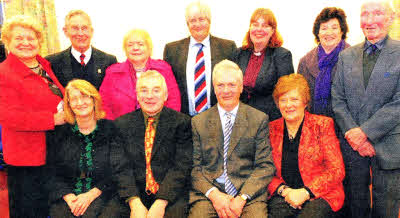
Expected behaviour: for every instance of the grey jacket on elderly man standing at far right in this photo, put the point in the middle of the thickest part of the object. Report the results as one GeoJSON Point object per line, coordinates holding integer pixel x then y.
{"type": "Point", "coordinates": [375, 108]}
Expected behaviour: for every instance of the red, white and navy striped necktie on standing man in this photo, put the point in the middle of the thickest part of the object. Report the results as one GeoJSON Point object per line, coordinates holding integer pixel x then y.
{"type": "Point", "coordinates": [200, 89]}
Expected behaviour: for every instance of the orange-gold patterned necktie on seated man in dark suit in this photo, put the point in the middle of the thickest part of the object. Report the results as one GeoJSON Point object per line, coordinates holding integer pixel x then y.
{"type": "Point", "coordinates": [151, 184]}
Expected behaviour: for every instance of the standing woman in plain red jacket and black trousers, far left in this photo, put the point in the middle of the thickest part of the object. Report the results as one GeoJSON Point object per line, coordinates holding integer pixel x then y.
{"type": "Point", "coordinates": [30, 104]}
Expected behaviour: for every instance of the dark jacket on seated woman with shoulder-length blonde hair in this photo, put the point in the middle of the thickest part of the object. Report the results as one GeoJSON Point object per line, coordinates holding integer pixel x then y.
{"type": "Point", "coordinates": [64, 149]}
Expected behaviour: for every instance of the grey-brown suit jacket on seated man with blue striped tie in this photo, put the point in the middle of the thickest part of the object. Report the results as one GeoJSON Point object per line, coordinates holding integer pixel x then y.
{"type": "Point", "coordinates": [250, 165]}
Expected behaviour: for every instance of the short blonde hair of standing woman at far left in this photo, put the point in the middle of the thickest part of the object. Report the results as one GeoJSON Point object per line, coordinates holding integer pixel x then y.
{"type": "Point", "coordinates": [22, 21]}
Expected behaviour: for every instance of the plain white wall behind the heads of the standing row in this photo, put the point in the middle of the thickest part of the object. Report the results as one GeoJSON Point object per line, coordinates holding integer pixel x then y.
{"type": "Point", "coordinates": [165, 21]}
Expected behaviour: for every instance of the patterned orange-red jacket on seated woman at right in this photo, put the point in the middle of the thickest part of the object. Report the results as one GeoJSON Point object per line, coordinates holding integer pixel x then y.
{"type": "Point", "coordinates": [320, 159]}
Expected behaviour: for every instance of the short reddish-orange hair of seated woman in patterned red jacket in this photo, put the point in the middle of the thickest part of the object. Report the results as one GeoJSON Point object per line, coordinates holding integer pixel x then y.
{"type": "Point", "coordinates": [291, 82]}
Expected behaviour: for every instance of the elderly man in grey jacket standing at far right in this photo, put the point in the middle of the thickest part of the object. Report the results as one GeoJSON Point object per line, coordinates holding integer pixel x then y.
{"type": "Point", "coordinates": [366, 103]}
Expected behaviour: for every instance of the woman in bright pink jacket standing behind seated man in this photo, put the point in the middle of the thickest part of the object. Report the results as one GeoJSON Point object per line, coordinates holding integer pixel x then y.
{"type": "Point", "coordinates": [118, 89]}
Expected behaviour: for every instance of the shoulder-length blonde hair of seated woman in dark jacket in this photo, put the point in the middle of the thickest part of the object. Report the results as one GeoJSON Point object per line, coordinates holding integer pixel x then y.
{"type": "Point", "coordinates": [86, 88]}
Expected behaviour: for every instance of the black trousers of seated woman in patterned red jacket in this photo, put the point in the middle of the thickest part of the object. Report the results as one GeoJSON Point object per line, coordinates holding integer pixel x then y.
{"type": "Point", "coordinates": [319, 208]}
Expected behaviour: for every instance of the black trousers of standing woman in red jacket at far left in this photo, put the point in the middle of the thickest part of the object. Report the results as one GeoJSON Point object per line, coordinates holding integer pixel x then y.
{"type": "Point", "coordinates": [26, 192]}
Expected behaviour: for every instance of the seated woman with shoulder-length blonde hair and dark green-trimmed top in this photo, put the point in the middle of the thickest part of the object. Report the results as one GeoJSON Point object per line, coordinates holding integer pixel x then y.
{"type": "Point", "coordinates": [84, 156]}
